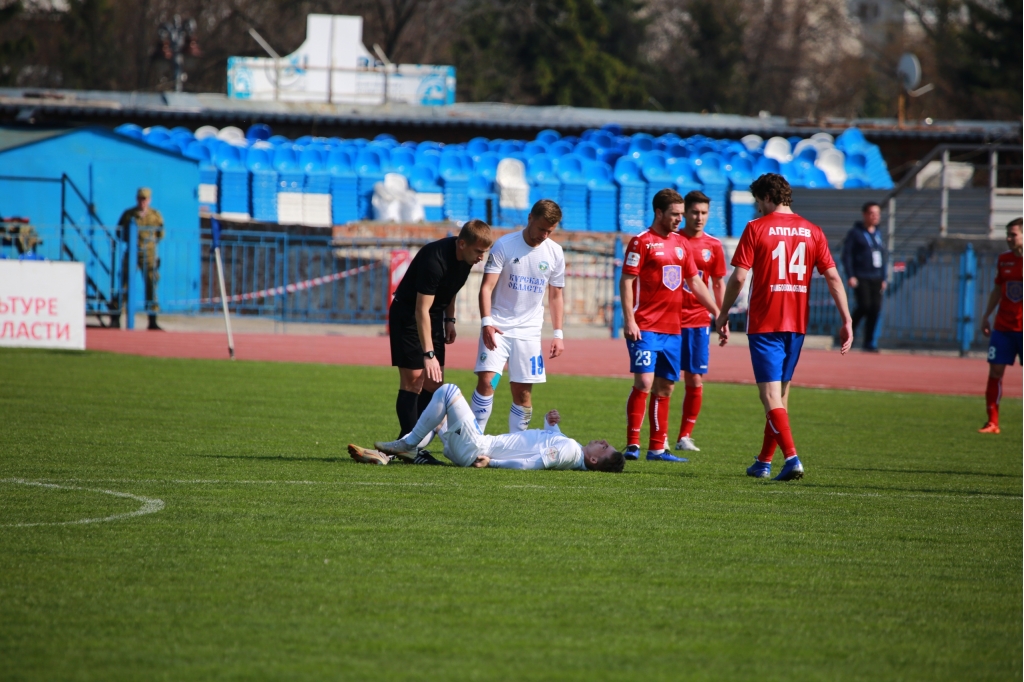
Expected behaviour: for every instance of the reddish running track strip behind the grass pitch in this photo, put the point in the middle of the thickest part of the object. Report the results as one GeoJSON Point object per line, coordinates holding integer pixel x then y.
{"type": "Point", "coordinates": [606, 358]}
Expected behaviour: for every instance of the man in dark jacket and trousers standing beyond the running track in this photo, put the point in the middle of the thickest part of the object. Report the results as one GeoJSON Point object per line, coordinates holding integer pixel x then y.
{"type": "Point", "coordinates": [865, 262]}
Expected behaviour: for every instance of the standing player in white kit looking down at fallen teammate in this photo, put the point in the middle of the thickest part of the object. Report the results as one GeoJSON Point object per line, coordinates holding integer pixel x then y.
{"type": "Point", "coordinates": [522, 267]}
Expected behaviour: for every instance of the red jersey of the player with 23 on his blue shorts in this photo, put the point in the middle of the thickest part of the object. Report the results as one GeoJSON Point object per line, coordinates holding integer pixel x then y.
{"type": "Point", "coordinates": [661, 266]}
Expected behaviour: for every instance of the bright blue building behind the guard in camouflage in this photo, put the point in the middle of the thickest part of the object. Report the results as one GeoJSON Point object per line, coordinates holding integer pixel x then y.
{"type": "Point", "coordinates": [73, 185]}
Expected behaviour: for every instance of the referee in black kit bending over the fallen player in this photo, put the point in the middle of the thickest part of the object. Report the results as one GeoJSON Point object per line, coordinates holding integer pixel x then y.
{"type": "Point", "coordinates": [422, 319]}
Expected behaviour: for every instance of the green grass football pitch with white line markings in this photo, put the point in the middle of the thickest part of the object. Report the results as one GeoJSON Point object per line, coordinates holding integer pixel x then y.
{"type": "Point", "coordinates": [275, 557]}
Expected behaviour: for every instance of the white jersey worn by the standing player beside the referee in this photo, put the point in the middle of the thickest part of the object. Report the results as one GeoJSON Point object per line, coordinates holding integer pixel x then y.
{"type": "Point", "coordinates": [526, 273]}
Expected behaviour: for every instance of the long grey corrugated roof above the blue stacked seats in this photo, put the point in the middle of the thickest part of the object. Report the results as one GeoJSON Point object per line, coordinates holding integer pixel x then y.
{"type": "Point", "coordinates": [215, 108]}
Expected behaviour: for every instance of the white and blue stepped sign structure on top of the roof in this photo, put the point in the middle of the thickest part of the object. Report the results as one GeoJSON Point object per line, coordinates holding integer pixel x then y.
{"type": "Point", "coordinates": [333, 66]}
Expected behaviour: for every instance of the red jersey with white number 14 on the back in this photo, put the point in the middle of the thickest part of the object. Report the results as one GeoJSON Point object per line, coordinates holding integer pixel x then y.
{"type": "Point", "coordinates": [782, 249]}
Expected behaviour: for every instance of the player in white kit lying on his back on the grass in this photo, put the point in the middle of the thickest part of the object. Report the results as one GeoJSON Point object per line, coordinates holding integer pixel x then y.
{"type": "Point", "coordinates": [466, 447]}
